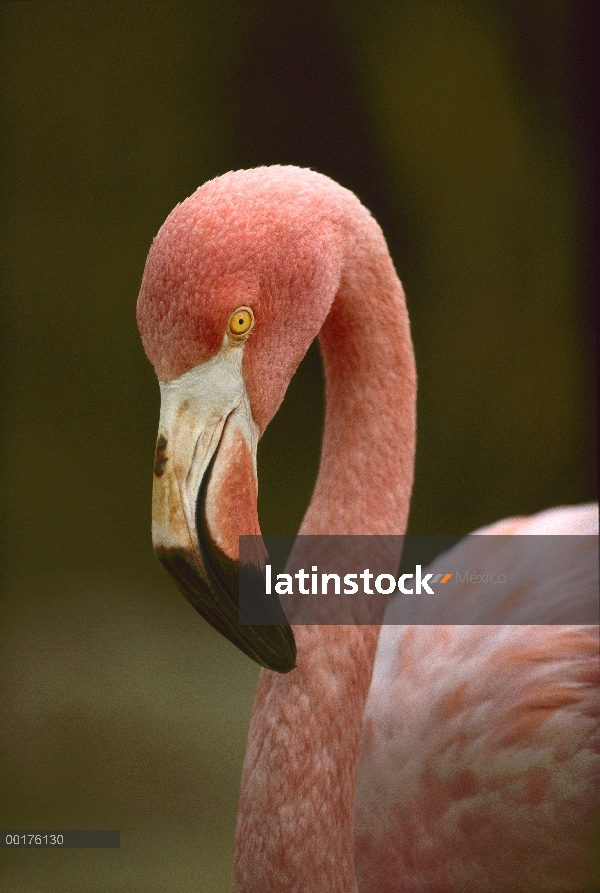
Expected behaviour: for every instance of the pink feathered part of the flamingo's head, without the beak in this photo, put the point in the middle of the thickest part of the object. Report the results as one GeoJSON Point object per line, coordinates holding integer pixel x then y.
{"type": "Point", "coordinates": [271, 238]}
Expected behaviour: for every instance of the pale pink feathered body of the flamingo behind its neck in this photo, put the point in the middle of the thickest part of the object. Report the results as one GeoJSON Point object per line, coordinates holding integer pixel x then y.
{"type": "Point", "coordinates": [480, 763]}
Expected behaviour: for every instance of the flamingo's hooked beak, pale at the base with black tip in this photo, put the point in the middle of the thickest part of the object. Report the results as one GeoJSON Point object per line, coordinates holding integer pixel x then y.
{"type": "Point", "coordinates": [204, 498]}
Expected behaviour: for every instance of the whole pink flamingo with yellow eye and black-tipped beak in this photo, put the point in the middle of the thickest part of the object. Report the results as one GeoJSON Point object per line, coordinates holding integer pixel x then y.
{"type": "Point", "coordinates": [423, 758]}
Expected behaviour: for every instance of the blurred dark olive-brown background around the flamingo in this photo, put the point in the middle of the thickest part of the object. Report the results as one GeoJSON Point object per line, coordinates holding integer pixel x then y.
{"type": "Point", "coordinates": [465, 127]}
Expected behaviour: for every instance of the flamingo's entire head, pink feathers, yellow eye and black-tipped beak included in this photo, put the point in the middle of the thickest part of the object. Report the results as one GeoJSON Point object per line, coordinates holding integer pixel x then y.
{"type": "Point", "coordinates": [237, 284]}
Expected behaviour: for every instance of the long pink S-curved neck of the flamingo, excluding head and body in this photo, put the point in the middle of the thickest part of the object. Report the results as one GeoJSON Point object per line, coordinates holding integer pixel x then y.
{"type": "Point", "coordinates": [296, 811]}
